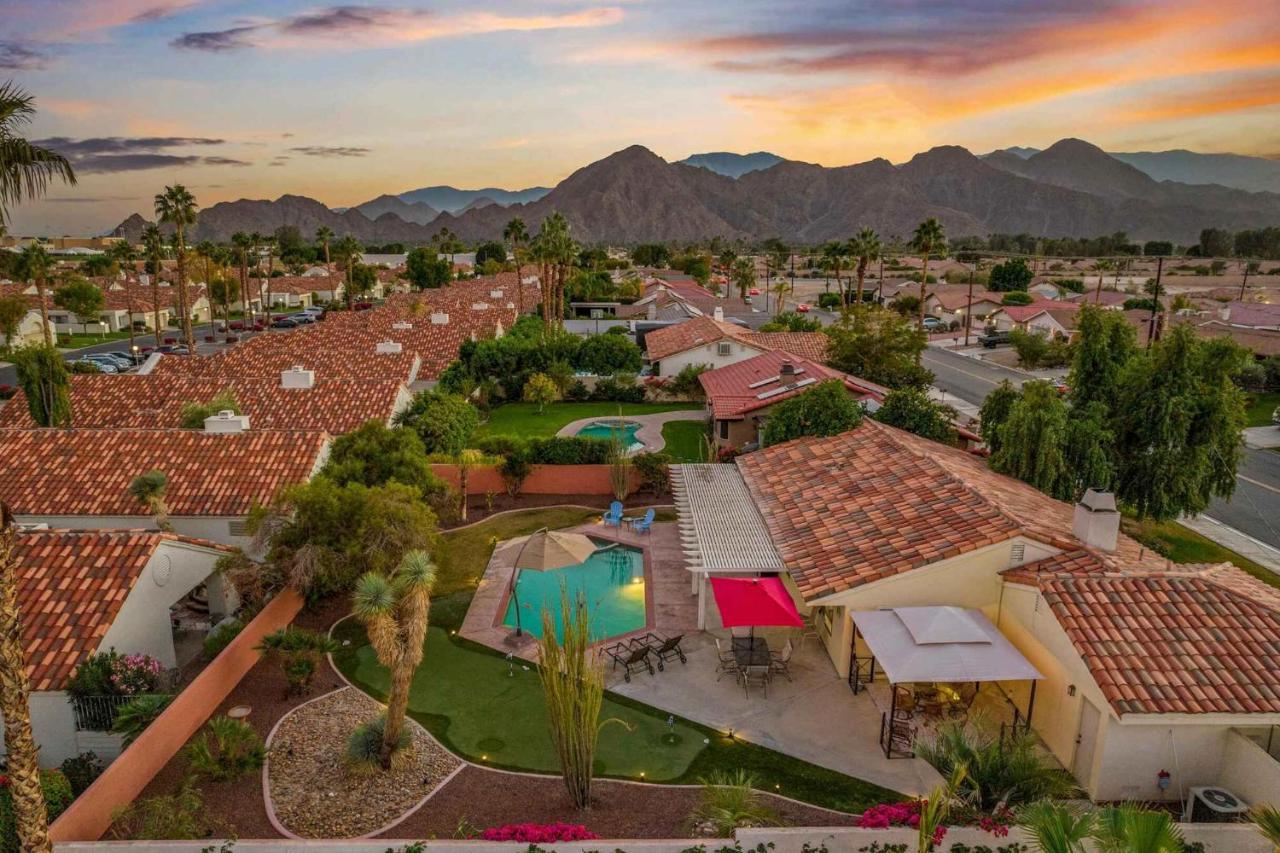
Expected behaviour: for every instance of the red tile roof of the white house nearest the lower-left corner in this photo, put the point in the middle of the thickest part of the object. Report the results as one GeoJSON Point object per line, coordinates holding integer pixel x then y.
{"type": "Point", "coordinates": [71, 589]}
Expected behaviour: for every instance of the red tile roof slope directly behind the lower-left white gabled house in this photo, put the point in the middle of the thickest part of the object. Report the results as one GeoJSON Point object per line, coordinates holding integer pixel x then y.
{"type": "Point", "coordinates": [88, 472]}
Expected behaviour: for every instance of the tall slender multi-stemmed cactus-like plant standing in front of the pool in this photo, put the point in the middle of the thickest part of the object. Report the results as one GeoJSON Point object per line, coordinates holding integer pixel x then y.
{"type": "Point", "coordinates": [573, 682]}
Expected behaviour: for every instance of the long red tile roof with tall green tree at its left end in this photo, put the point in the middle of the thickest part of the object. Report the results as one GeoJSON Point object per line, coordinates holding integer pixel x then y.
{"type": "Point", "coordinates": [156, 402]}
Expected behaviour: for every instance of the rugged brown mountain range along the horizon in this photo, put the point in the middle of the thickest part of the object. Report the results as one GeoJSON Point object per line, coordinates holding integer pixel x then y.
{"type": "Point", "coordinates": [1071, 189]}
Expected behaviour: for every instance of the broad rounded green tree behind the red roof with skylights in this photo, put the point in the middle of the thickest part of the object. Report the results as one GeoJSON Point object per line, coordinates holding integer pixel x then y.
{"type": "Point", "coordinates": [879, 345]}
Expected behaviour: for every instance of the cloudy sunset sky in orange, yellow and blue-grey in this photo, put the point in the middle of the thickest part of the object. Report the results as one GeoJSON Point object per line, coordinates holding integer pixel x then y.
{"type": "Point", "coordinates": [345, 103]}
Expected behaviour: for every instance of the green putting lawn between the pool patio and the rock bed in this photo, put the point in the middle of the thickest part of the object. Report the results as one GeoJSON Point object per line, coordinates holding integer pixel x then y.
{"type": "Point", "coordinates": [465, 696]}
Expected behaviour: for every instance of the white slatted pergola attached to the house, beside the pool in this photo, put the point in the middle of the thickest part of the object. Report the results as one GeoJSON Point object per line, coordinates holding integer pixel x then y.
{"type": "Point", "coordinates": [721, 531]}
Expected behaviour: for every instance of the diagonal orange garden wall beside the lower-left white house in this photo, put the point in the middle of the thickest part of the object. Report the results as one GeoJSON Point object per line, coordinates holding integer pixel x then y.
{"type": "Point", "coordinates": [90, 816]}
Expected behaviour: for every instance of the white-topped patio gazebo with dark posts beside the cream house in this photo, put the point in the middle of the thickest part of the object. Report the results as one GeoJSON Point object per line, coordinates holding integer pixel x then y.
{"type": "Point", "coordinates": [935, 645]}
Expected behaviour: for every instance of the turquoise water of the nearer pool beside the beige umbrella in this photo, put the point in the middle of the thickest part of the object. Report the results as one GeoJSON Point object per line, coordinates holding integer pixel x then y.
{"type": "Point", "coordinates": [612, 581]}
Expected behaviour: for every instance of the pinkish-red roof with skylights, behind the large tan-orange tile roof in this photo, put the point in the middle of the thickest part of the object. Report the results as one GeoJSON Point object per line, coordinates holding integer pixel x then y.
{"type": "Point", "coordinates": [735, 390]}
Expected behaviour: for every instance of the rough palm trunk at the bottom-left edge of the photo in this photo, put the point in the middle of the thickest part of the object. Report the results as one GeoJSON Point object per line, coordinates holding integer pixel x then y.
{"type": "Point", "coordinates": [31, 819]}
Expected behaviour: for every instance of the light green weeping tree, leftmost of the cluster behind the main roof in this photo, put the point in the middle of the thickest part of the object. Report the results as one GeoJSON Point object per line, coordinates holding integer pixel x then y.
{"type": "Point", "coordinates": [1032, 440]}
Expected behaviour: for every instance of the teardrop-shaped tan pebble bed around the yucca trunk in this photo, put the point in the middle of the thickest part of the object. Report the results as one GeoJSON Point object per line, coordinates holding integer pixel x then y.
{"type": "Point", "coordinates": [313, 792]}
